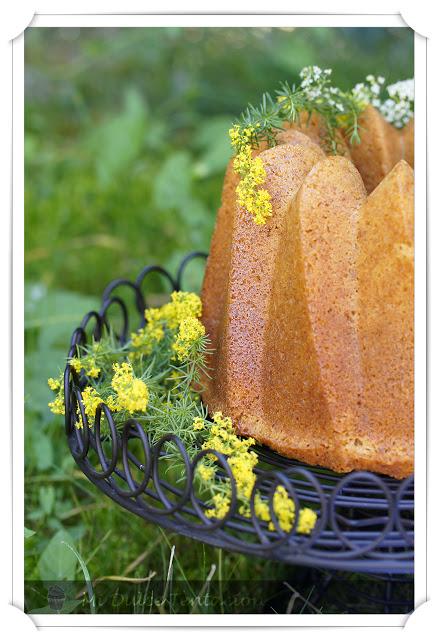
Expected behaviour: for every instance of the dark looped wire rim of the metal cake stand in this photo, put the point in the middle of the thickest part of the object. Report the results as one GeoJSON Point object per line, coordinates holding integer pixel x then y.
{"type": "Point", "coordinates": [365, 521]}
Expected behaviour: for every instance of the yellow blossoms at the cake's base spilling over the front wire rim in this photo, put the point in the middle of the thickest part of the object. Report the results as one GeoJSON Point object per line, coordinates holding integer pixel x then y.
{"type": "Point", "coordinates": [242, 462]}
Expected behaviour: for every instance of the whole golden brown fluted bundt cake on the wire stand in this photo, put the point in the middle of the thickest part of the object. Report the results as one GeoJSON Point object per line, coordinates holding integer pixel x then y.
{"type": "Point", "coordinates": [310, 315]}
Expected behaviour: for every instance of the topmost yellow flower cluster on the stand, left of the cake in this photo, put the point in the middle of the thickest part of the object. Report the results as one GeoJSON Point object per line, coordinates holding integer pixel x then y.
{"type": "Point", "coordinates": [183, 305]}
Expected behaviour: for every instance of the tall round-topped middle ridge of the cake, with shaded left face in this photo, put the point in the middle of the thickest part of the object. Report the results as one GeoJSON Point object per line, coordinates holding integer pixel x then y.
{"type": "Point", "coordinates": [312, 356]}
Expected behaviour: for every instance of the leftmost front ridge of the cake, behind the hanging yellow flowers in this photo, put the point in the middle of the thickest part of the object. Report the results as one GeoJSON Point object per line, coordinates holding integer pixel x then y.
{"type": "Point", "coordinates": [244, 299]}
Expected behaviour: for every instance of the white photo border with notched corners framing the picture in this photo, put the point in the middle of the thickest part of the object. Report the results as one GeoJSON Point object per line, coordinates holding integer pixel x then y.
{"type": "Point", "coordinates": [220, 20]}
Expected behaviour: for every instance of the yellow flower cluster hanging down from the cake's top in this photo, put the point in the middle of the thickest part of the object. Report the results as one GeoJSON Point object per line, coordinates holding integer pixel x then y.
{"type": "Point", "coordinates": [251, 170]}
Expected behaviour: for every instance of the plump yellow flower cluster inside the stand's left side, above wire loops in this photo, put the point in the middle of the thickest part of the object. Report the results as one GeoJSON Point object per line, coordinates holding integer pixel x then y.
{"type": "Point", "coordinates": [132, 392]}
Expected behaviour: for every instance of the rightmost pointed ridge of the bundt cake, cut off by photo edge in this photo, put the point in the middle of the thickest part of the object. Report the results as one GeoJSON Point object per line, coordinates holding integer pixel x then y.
{"type": "Point", "coordinates": [386, 325]}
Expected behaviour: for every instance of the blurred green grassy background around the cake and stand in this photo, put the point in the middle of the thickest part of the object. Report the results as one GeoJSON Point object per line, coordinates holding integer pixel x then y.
{"type": "Point", "coordinates": [125, 149]}
